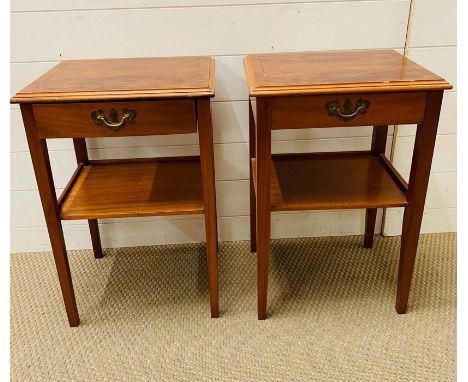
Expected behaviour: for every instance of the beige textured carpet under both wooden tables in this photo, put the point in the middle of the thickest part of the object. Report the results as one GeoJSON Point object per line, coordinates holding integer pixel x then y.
{"type": "Point", "coordinates": [145, 315]}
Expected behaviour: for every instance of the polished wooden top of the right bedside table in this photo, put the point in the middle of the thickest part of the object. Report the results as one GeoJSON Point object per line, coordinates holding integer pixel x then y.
{"type": "Point", "coordinates": [337, 72]}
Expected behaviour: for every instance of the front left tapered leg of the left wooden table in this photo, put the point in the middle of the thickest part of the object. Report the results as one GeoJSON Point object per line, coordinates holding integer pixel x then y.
{"type": "Point", "coordinates": [45, 183]}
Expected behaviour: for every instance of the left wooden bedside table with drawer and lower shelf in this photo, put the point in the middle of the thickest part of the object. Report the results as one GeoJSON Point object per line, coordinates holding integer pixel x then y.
{"type": "Point", "coordinates": [115, 98]}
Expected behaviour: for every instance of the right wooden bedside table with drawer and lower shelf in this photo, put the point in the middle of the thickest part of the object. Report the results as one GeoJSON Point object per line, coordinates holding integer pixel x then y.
{"type": "Point", "coordinates": [339, 89]}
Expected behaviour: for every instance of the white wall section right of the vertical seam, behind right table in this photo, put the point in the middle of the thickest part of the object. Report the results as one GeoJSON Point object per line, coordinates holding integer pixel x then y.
{"type": "Point", "coordinates": [432, 43]}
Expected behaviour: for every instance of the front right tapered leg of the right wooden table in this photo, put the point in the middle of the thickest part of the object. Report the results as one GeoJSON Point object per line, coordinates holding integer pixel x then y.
{"type": "Point", "coordinates": [416, 195]}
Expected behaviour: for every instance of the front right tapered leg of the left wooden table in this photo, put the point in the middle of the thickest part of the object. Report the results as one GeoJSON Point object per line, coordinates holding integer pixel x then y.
{"type": "Point", "coordinates": [209, 199]}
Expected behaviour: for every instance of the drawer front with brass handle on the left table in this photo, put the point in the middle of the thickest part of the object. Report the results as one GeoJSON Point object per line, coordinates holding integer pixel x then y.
{"type": "Point", "coordinates": [108, 119]}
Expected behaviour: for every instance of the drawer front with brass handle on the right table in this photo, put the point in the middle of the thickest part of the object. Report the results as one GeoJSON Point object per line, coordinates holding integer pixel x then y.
{"type": "Point", "coordinates": [300, 112]}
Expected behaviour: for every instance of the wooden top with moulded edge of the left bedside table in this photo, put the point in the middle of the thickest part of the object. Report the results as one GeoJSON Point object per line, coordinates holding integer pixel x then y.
{"type": "Point", "coordinates": [127, 78]}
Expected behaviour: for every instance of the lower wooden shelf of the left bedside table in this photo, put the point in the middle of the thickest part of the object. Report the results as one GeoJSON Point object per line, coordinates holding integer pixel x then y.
{"type": "Point", "coordinates": [135, 187]}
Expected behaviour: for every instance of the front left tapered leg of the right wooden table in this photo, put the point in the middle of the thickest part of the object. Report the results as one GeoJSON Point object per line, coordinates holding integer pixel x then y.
{"type": "Point", "coordinates": [263, 205]}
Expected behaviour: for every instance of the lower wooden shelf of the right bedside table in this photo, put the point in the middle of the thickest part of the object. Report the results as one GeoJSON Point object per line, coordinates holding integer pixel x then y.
{"type": "Point", "coordinates": [321, 181]}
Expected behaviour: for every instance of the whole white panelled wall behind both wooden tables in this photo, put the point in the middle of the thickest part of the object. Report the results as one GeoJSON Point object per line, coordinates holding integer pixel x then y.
{"type": "Point", "coordinates": [46, 32]}
